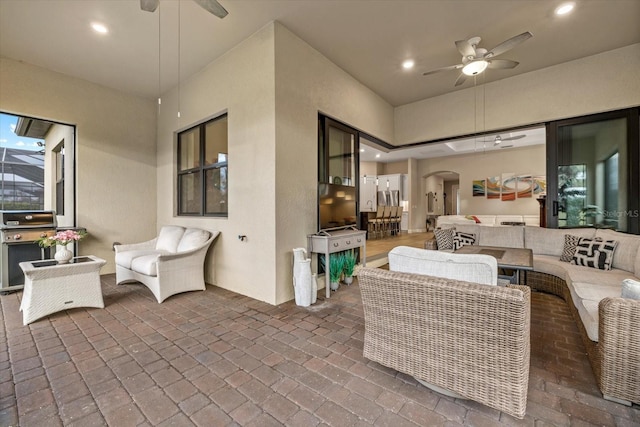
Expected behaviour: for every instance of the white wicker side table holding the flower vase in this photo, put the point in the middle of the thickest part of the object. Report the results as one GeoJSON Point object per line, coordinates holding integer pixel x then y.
{"type": "Point", "coordinates": [50, 287]}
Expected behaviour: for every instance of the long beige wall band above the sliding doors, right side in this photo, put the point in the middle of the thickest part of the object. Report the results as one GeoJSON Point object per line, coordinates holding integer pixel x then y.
{"type": "Point", "coordinates": [604, 82]}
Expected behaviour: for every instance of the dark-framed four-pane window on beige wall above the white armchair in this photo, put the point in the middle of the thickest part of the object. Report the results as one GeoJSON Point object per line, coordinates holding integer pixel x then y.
{"type": "Point", "coordinates": [203, 169]}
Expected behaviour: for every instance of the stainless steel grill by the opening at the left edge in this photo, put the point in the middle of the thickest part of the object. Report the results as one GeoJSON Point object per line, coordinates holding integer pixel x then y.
{"type": "Point", "coordinates": [19, 231]}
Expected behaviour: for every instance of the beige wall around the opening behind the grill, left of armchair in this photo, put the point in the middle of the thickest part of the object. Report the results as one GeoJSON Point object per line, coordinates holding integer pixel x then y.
{"type": "Point", "coordinates": [116, 161]}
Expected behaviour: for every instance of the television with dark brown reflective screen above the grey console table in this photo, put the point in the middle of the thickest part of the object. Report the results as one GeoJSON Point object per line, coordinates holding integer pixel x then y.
{"type": "Point", "coordinates": [337, 206]}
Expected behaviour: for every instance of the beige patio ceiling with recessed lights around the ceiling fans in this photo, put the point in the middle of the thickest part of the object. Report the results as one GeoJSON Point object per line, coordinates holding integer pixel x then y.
{"type": "Point", "coordinates": [368, 39]}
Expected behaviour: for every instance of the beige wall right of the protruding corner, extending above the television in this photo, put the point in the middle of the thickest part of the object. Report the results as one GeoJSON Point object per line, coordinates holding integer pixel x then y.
{"type": "Point", "coordinates": [308, 83]}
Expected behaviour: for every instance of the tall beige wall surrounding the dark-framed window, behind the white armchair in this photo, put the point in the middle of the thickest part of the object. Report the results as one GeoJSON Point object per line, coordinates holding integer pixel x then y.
{"type": "Point", "coordinates": [241, 83]}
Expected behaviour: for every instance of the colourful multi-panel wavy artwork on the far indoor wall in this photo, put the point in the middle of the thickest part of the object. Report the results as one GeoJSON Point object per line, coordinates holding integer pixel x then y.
{"type": "Point", "coordinates": [510, 186]}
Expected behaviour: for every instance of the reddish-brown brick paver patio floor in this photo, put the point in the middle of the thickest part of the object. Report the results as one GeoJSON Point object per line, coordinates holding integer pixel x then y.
{"type": "Point", "coordinates": [216, 358]}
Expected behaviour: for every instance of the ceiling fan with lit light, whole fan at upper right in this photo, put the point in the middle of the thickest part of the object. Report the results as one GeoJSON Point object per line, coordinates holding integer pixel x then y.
{"type": "Point", "coordinates": [476, 59]}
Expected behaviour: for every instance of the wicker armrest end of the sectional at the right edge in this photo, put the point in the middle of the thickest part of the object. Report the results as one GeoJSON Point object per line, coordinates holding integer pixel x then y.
{"type": "Point", "coordinates": [619, 348]}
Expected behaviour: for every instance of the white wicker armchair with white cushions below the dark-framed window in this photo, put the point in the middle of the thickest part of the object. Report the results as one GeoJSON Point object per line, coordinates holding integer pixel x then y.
{"type": "Point", "coordinates": [171, 263]}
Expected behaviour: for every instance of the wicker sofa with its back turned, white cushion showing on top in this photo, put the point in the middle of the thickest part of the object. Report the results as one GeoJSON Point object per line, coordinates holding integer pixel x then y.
{"type": "Point", "coordinates": [466, 339]}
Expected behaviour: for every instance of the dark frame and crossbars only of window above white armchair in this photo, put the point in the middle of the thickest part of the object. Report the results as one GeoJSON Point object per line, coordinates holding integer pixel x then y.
{"type": "Point", "coordinates": [201, 168]}
